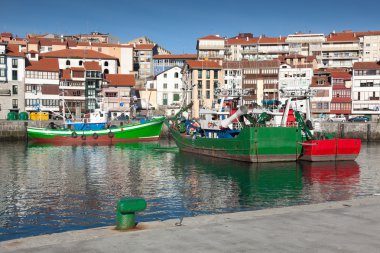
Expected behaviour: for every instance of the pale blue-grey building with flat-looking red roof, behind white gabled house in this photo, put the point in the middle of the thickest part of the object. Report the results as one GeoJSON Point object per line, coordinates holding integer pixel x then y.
{"type": "Point", "coordinates": [166, 61]}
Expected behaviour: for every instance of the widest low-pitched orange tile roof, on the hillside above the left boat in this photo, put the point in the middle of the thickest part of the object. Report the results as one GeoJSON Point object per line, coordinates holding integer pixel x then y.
{"type": "Point", "coordinates": [77, 53]}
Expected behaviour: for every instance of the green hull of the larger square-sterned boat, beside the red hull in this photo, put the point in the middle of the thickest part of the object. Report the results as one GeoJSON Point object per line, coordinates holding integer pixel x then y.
{"type": "Point", "coordinates": [253, 144]}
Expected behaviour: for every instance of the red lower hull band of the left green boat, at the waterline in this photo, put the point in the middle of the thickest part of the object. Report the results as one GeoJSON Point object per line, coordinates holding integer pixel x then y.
{"type": "Point", "coordinates": [101, 140]}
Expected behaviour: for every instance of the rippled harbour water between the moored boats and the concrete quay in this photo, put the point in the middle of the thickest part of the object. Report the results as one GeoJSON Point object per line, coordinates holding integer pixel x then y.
{"type": "Point", "coordinates": [47, 189]}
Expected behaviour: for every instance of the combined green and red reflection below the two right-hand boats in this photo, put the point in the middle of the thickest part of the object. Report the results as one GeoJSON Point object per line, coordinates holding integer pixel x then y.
{"type": "Point", "coordinates": [223, 184]}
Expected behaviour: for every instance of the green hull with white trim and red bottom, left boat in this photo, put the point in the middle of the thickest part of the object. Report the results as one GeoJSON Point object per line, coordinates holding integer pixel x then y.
{"type": "Point", "coordinates": [148, 130]}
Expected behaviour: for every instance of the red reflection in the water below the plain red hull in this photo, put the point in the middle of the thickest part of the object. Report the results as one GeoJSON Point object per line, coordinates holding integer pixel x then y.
{"type": "Point", "coordinates": [331, 181]}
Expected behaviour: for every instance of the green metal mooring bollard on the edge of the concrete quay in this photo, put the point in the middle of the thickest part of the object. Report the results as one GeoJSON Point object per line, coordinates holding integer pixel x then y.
{"type": "Point", "coordinates": [125, 212]}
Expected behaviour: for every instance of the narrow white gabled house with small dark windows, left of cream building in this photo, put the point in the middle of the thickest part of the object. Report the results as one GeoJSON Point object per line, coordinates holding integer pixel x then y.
{"type": "Point", "coordinates": [169, 87]}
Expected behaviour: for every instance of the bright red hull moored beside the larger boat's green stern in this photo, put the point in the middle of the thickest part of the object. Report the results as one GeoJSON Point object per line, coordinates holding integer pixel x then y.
{"type": "Point", "coordinates": [331, 150]}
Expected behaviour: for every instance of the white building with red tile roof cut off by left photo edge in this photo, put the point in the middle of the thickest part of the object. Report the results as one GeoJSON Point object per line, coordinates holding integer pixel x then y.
{"type": "Point", "coordinates": [12, 71]}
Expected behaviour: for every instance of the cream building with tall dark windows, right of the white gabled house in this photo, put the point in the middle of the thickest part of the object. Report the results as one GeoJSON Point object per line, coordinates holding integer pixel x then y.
{"type": "Point", "coordinates": [201, 80]}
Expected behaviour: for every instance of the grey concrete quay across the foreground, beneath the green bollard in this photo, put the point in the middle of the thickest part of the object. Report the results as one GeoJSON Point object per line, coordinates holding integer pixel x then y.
{"type": "Point", "coordinates": [348, 226]}
